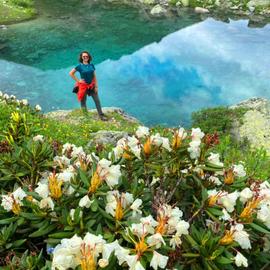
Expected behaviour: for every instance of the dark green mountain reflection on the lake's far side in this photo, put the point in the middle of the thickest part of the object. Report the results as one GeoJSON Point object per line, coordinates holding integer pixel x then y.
{"type": "Point", "coordinates": [63, 30]}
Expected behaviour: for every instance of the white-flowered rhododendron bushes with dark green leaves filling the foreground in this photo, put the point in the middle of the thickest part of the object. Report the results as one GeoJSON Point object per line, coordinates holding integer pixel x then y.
{"type": "Point", "coordinates": [153, 202]}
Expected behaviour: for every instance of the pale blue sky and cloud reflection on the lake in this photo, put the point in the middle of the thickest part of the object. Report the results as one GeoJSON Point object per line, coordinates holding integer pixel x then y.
{"type": "Point", "coordinates": [207, 64]}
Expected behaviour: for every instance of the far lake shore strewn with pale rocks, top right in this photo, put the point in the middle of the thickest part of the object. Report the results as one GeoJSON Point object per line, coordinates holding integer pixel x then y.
{"type": "Point", "coordinates": [256, 11]}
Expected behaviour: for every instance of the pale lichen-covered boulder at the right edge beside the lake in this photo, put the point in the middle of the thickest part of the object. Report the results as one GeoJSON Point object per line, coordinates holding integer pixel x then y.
{"type": "Point", "coordinates": [255, 124]}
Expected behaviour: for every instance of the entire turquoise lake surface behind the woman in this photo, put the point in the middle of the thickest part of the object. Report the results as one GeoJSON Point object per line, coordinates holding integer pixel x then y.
{"type": "Point", "coordinates": [159, 71]}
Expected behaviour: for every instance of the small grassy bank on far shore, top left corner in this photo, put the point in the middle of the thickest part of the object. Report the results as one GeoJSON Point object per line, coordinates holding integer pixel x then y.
{"type": "Point", "coordinates": [12, 11]}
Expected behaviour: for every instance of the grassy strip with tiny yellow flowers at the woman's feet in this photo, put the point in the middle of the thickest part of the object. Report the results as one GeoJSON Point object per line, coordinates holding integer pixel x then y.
{"type": "Point", "coordinates": [76, 128]}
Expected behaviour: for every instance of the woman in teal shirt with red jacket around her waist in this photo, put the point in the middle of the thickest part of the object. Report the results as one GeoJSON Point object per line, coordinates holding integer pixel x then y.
{"type": "Point", "coordinates": [87, 85]}
